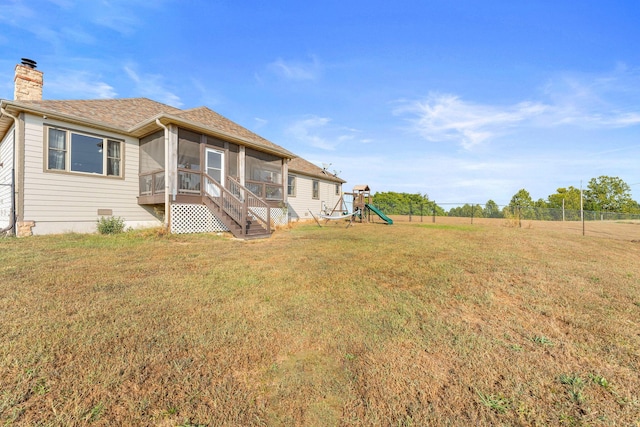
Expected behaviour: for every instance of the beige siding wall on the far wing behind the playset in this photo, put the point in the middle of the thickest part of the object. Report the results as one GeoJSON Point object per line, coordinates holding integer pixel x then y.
{"type": "Point", "coordinates": [300, 205]}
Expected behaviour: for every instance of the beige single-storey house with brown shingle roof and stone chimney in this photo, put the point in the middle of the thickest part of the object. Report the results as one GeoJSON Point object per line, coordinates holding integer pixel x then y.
{"type": "Point", "coordinates": [64, 164]}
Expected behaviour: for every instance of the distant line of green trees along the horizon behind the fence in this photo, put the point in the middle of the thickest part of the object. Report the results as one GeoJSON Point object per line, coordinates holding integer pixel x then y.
{"type": "Point", "coordinates": [602, 195]}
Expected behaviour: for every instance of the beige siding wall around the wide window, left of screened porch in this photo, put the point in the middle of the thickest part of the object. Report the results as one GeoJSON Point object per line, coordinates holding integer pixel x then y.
{"type": "Point", "coordinates": [60, 202]}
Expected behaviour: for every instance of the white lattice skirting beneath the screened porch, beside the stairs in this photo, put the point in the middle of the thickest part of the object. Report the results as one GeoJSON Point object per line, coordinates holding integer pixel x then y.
{"type": "Point", "coordinates": [189, 218]}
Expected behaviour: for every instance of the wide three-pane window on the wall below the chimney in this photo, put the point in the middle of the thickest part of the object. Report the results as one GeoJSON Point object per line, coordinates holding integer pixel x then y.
{"type": "Point", "coordinates": [72, 151]}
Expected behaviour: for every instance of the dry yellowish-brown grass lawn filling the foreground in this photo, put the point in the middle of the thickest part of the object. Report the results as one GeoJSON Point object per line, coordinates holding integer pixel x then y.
{"type": "Point", "coordinates": [413, 324]}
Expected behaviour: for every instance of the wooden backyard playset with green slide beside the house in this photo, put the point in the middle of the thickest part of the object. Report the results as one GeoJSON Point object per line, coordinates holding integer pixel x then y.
{"type": "Point", "coordinates": [362, 208]}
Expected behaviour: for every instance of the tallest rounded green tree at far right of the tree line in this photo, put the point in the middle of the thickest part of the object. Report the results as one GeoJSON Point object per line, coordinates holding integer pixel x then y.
{"type": "Point", "coordinates": [609, 194]}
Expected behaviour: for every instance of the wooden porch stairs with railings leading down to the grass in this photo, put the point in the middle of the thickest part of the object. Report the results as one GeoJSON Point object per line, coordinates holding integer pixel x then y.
{"type": "Point", "coordinates": [245, 214]}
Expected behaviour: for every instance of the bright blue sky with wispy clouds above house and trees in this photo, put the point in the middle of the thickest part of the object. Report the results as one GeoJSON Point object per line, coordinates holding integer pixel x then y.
{"type": "Point", "coordinates": [464, 101]}
